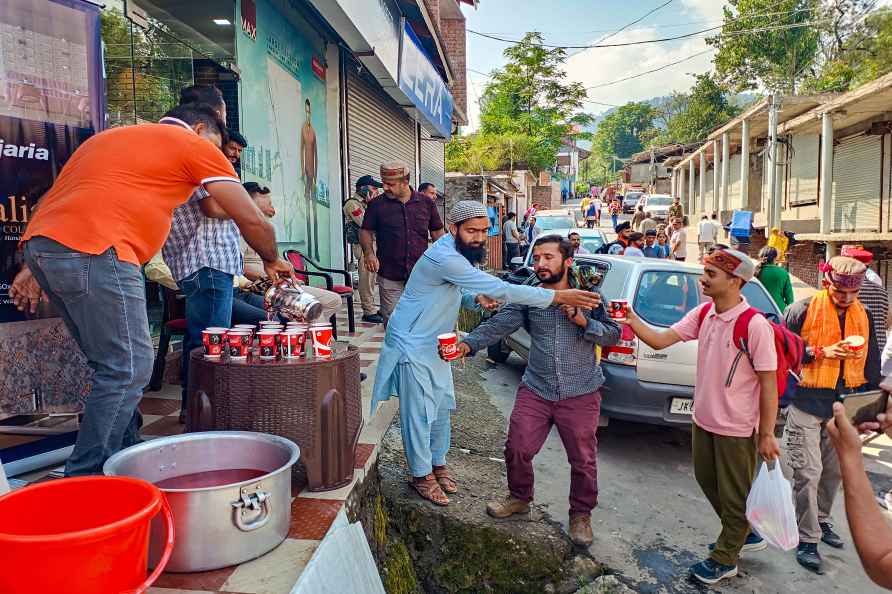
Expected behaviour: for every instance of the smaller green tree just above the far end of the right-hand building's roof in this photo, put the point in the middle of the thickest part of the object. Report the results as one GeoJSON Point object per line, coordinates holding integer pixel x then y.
{"type": "Point", "coordinates": [706, 108]}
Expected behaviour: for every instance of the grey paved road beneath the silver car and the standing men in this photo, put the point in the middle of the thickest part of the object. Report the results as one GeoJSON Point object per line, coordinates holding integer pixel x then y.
{"type": "Point", "coordinates": [652, 522]}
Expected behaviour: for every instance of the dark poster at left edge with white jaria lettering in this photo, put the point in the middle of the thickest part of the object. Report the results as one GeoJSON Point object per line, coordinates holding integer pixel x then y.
{"type": "Point", "coordinates": [51, 100]}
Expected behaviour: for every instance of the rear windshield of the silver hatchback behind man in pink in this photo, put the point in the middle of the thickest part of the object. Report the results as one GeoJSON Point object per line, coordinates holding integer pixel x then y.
{"type": "Point", "coordinates": [664, 297]}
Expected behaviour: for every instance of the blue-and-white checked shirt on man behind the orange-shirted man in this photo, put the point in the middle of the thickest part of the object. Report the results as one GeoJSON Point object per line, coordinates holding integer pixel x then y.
{"type": "Point", "coordinates": [197, 241]}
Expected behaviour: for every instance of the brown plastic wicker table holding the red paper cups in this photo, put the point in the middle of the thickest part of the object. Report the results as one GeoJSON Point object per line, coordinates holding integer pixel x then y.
{"type": "Point", "coordinates": [316, 403]}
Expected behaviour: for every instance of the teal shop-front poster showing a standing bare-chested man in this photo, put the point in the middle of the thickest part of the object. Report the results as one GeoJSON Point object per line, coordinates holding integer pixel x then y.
{"type": "Point", "coordinates": [283, 118]}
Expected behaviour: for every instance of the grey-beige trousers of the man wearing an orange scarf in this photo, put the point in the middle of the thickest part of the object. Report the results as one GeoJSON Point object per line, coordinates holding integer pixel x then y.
{"type": "Point", "coordinates": [810, 462]}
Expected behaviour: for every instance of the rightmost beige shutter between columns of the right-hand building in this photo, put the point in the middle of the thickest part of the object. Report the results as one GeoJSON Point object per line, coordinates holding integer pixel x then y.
{"type": "Point", "coordinates": [857, 176]}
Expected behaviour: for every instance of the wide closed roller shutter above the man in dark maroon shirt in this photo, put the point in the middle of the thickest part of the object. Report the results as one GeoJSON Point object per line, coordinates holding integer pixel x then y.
{"type": "Point", "coordinates": [378, 130]}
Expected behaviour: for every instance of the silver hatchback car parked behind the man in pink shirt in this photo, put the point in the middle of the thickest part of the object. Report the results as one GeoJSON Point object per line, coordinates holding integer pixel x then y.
{"type": "Point", "coordinates": [643, 384]}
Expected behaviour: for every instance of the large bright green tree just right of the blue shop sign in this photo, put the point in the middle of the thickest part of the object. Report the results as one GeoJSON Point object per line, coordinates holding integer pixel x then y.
{"type": "Point", "coordinates": [530, 97]}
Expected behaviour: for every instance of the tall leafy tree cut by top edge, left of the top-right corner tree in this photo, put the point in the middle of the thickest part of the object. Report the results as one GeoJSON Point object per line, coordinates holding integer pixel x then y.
{"type": "Point", "coordinates": [766, 43]}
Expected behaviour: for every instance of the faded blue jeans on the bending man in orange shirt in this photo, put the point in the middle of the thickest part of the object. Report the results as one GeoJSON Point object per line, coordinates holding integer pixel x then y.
{"type": "Point", "coordinates": [102, 301]}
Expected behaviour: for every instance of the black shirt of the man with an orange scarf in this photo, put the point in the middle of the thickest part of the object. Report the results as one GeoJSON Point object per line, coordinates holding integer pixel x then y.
{"type": "Point", "coordinates": [819, 401]}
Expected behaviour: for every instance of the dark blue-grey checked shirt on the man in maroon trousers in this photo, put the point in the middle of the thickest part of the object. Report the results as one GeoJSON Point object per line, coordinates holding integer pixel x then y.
{"type": "Point", "coordinates": [562, 360]}
